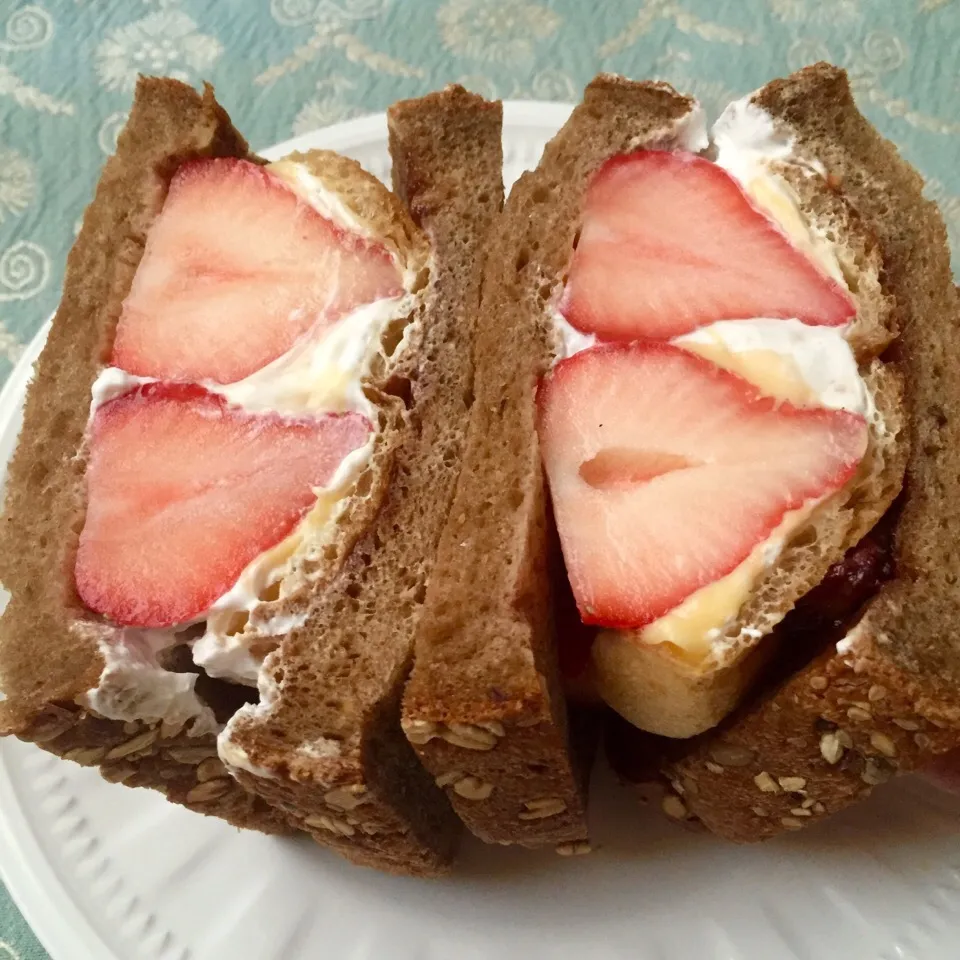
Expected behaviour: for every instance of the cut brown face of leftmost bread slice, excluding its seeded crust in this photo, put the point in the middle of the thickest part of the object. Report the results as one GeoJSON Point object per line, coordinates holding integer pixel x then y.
{"type": "Point", "coordinates": [40, 659]}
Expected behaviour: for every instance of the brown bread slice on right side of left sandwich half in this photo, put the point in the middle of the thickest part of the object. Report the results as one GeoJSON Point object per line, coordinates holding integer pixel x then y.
{"type": "Point", "coordinates": [325, 743]}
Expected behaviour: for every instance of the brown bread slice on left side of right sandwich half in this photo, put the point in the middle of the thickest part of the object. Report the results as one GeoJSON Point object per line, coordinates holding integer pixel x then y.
{"type": "Point", "coordinates": [483, 705]}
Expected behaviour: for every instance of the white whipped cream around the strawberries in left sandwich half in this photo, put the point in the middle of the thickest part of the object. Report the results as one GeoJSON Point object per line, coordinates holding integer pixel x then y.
{"type": "Point", "coordinates": [321, 373]}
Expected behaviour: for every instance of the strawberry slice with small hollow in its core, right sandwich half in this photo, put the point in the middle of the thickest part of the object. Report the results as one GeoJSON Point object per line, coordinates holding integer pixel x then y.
{"type": "Point", "coordinates": [666, 471]}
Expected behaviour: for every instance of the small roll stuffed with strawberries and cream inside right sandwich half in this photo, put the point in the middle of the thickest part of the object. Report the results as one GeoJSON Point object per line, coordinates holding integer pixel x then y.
{"type": "Point", "coordinates": [719, 427]}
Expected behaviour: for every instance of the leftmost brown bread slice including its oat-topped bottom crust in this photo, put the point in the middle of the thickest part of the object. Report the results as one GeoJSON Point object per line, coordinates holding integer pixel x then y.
{"type": "Point", "coordinates": [49, 644]}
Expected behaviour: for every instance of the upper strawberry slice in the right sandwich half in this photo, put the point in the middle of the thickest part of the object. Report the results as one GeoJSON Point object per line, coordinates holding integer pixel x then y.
{"type": "Point", "coordinates": [670, 242]}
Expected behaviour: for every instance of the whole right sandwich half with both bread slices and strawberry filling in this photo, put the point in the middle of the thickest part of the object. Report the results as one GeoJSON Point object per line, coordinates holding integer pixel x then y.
{"type": "Point", "coordinates": [725, 365]}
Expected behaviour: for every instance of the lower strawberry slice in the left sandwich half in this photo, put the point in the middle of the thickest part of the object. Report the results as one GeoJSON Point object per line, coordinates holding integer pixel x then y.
{"type": "Point", "coordinates": [184, 491]}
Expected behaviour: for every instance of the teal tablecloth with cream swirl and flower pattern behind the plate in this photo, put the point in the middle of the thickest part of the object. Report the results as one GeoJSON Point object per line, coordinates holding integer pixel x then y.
{"type": "Point", "coordinates": [283, 67]}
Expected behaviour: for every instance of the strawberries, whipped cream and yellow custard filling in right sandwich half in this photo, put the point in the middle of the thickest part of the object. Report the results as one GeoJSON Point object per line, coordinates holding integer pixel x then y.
{"type": "Point", "coordinates": [691, 476]}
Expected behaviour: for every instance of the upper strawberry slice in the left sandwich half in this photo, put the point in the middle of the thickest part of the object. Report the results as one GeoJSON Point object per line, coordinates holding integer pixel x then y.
{"type": "Point", "coordinates": [236, 268]}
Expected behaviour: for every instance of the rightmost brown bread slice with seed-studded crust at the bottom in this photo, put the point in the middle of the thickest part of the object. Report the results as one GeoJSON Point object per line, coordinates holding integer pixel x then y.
{"type": "Point", "coordinates": [886, 701]}
